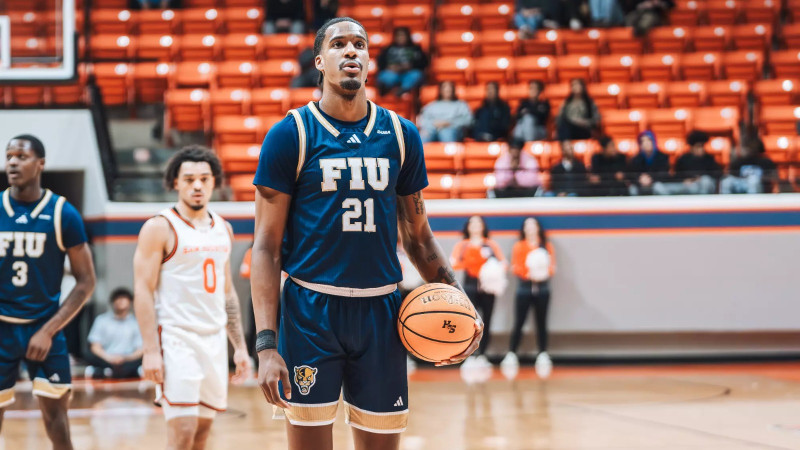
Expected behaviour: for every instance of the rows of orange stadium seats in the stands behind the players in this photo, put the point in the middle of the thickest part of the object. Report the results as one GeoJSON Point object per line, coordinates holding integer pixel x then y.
{"type": "Point", "coordinates": [716, 65]}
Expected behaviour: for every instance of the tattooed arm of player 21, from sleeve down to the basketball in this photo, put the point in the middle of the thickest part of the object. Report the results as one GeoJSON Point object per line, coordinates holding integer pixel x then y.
{"type": "Point", "coordinates": [419, 243]}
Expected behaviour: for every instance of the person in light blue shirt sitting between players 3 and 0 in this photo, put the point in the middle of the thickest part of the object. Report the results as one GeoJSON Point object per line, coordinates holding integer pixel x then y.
{"type": "Point", "coordinates": [116, 344]}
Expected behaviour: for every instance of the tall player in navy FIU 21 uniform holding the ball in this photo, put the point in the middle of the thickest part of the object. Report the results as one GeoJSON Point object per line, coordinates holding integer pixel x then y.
{"type": "Point", "coordinates": [332, 179]}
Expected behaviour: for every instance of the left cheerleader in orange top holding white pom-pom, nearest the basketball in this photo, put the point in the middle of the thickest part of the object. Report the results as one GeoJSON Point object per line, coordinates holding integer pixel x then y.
{"type": "Point", "coordinates": [480, 258]}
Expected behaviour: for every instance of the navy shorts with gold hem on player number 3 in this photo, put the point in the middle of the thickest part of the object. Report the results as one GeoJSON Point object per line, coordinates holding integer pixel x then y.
{"type": "Point", "coordinates": [51, 377]}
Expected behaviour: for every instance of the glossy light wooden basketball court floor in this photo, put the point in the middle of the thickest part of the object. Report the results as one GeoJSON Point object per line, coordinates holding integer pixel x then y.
{"type": "Point", "coordinates": [709, 407]}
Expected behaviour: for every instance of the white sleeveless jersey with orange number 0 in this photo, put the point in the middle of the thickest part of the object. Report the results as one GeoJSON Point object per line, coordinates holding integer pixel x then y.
{"type": "Point", "coordinates": [191, 287]}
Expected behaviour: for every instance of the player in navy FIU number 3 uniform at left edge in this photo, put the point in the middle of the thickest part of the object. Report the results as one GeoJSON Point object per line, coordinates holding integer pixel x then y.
{"type": "Point", "coordinates": [37, 229]}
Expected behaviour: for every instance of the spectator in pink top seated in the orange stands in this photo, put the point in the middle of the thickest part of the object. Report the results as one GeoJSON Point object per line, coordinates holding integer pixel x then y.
{"type": "Point", "coordinates": [516, 172]}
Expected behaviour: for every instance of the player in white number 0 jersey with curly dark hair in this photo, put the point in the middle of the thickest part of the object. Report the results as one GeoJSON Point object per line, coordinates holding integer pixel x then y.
{"type": "Point", "coordinates": [185, 302]}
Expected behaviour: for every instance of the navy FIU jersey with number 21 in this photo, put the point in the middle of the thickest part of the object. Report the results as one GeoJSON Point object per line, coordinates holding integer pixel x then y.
{"type": "Point", "coordinates": [344, 179]}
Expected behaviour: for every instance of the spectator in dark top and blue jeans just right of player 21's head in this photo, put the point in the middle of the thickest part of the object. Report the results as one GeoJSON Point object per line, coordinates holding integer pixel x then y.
{"type": "Point", "coordinates": [402, 64]}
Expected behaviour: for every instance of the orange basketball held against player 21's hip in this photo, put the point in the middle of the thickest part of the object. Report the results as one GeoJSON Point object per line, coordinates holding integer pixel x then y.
{"type": "Point", "coordinates": [436, 322]}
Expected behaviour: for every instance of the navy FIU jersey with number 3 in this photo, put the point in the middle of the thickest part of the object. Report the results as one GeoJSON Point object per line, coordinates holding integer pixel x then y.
{"type": "Point", "coordinates": [34, 238]}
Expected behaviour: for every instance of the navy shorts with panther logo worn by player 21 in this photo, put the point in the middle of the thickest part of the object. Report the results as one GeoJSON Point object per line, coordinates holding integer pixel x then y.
{"type": "Point", "coordinates": [343, 345]}
